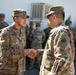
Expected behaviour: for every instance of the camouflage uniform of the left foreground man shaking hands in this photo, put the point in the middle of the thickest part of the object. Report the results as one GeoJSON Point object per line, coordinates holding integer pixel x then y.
{"type": "Point", "coordinates": [12, 61]}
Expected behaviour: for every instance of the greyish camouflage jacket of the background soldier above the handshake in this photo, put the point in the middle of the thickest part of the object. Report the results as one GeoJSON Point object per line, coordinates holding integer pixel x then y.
{"type": "Point", "coordinates": [37, 38]}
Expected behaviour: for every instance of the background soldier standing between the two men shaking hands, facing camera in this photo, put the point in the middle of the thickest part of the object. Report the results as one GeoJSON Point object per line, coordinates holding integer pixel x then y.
{"type": "Point", "coordinates": [37, 37]}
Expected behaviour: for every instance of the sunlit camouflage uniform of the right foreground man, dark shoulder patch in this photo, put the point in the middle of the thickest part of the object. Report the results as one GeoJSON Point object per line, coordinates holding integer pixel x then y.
{"type": "Point", "coordinates": [58, 56]}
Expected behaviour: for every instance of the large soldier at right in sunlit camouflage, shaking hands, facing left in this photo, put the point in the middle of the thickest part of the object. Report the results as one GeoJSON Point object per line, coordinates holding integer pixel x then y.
{"type": "Point", "coordinates": [58, 56]}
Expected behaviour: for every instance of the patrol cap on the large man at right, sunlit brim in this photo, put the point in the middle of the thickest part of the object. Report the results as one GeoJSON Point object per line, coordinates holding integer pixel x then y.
{"type": "Point", "coordinates": [56, 9]}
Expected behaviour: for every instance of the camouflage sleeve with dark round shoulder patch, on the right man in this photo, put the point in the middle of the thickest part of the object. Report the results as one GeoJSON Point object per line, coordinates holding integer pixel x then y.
{"type": "Point", "coordinates": [61, 52]}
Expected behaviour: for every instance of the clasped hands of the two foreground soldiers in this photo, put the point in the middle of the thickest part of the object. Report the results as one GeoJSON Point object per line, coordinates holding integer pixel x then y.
{"type": "Point", "coordinates": [30, 53]}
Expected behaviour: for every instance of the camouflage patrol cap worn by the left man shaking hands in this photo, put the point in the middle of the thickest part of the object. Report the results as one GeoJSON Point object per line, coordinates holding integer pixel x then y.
{"type": "Point", "coordinates": [19, 12]}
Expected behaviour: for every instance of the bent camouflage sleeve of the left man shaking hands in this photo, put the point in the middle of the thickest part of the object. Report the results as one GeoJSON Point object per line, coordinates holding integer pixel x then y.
{"type": "Point", "coordinates": [7, 51]}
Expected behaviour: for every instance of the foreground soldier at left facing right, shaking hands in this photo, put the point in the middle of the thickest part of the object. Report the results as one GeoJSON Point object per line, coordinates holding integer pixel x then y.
{"type": "Point", "coordinates": [12, 52]}
